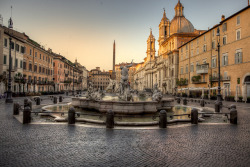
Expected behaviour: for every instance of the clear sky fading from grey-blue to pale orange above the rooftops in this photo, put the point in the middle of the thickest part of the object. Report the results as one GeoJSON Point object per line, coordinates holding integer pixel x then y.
{"type": "Point", "coordinates": [86, 29]}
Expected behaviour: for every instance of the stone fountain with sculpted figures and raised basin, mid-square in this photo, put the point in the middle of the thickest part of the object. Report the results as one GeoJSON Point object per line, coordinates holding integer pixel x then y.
{"type": "Point", "coordinates": [121, 98]}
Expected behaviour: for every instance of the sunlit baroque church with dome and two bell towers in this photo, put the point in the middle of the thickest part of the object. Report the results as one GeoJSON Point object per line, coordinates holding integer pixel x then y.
{"type": "Point", "coordinates": [163, 67]}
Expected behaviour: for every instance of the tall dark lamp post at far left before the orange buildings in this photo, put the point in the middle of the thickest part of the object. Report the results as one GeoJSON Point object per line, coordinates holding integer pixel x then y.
{"type": "Point", "coordinates": [9, 92]}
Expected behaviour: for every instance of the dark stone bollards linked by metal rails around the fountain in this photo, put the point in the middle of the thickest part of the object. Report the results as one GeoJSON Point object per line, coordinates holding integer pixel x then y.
{"type": "Point", "coordinates": [158, 119]}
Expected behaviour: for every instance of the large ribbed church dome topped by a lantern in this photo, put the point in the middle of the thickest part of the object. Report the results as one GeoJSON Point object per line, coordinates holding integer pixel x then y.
{"type": "Point", "coordinates": [179, 23]}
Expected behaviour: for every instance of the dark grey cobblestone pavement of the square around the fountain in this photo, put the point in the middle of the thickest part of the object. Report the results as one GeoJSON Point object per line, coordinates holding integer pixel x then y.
{"type": "Point", "coordinates": [69, 145]}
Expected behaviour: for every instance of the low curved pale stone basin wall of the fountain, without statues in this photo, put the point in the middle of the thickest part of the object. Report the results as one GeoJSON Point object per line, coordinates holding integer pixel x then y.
{"type": "Point", "coordinates": [124, 107]}
